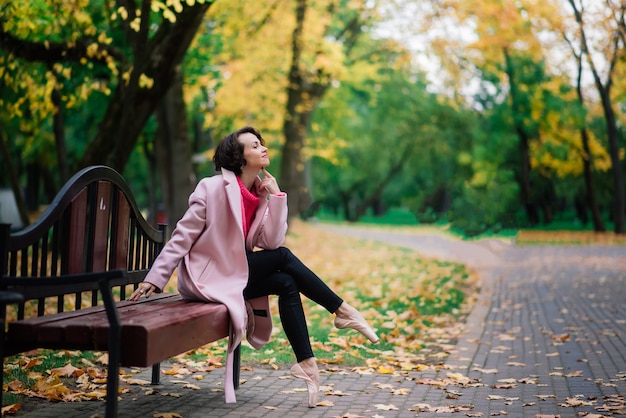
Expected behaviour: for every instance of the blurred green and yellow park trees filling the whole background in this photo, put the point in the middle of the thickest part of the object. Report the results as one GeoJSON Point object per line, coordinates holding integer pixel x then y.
{"type": "Point", "coordinates": [489, 115]}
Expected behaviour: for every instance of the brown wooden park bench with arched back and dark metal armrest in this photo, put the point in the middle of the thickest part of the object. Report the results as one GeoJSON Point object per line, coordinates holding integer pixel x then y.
{"type": "Point", "coordinates": [69, 274]}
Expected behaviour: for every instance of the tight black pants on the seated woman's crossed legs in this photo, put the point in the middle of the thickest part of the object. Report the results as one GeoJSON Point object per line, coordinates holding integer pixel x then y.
{"type": "Point", "coordinates": [280, 272]}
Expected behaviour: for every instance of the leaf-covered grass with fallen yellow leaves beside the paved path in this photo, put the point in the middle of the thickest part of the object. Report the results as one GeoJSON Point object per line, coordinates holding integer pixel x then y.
{"type": "Point", "coordinates": [416, 305]}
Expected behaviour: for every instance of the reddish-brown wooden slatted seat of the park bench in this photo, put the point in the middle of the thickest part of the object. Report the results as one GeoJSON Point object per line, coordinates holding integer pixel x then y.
{"type": "Point", "coordinates": [152, 330]}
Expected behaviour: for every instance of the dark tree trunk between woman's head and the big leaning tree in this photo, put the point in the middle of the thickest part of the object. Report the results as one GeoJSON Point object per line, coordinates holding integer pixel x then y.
{"type": "Point", "coordinates": [173, 153]}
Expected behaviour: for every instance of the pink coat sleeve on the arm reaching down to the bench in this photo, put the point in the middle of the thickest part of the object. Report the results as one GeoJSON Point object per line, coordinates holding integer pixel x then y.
{"type": "Point", "coordinates": [187, 230]}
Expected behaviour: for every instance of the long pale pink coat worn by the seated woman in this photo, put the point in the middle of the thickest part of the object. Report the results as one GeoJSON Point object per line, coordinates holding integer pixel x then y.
{"type": "Point", "coordinates": [208, 248]}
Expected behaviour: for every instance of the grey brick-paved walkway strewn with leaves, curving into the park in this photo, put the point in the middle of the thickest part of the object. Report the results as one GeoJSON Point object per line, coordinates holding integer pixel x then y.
{"type": "Point", "coordinates": [546, 338]}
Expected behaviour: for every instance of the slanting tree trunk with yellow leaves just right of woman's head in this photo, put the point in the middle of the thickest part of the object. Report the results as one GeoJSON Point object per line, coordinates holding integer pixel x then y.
{"type": "Point", "coordinates": [314, 66]}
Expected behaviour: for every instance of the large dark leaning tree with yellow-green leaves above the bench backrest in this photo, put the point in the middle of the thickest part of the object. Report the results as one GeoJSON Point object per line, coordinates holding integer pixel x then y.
{"type": "Point", "coordinates": [127, 48]}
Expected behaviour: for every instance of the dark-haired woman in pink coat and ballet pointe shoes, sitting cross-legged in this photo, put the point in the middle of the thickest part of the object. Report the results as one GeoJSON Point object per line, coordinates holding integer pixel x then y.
{"type": "Point", "coordinates": [216, 246]}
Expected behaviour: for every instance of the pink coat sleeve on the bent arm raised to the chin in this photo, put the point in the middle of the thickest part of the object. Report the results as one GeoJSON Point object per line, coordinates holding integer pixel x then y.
{"type": "Point", "coordinates": [272, 227]}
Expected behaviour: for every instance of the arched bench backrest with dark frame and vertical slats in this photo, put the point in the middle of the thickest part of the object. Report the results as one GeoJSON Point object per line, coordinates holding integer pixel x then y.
{"type": "Point", "coordinates": [92, 225]}
